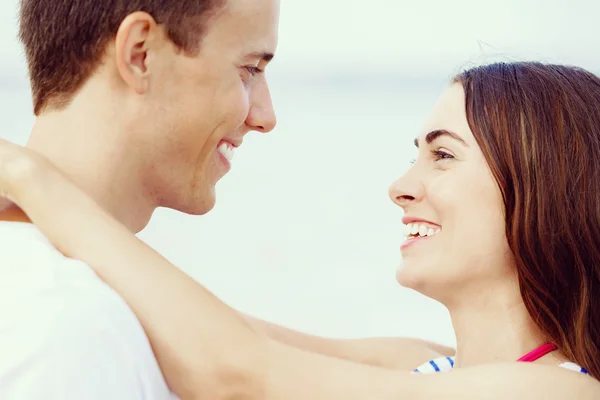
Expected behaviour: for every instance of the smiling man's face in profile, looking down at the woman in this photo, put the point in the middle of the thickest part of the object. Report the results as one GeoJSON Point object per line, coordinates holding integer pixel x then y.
{"type": "Point", "coordinates": [202, 106]}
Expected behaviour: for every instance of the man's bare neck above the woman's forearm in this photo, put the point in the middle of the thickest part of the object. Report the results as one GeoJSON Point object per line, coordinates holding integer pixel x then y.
{"type": "Point", "coordinates": [89, 146]}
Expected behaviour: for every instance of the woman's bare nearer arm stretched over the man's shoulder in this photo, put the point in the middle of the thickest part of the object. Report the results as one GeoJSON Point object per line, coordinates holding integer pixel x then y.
{"type": "Point", "coordinates": [206, 349]}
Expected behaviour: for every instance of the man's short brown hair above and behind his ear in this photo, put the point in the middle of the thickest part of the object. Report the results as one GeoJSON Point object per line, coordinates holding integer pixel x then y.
{"type": "Point", "coordinates": [65, 39]}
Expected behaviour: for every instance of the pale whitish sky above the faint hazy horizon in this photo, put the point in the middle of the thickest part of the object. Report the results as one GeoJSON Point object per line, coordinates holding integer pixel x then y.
{"type": "Point", "coordinates": [417, 36]}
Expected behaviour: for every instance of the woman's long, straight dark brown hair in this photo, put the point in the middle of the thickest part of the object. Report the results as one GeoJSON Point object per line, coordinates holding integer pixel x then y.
{"type": "Point", "coordinates": [538, 126]}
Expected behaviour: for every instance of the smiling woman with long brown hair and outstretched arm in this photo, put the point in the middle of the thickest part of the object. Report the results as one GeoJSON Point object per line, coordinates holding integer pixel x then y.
{"type": "Point", "coordinates": [503, 219]}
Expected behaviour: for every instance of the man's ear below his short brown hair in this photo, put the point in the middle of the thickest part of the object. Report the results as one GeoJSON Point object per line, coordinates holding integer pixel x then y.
{"type": "Point", "coordinates": [137, 35]}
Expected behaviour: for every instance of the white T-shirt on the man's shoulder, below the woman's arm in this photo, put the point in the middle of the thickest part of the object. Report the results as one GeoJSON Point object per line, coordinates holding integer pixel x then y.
{"type": "Point", "coordinates": [61, 323]}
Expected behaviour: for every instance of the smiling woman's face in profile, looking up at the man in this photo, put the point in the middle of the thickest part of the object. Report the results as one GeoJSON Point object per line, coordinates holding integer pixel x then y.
{"type": "Point", "coordinates": [454, 213]}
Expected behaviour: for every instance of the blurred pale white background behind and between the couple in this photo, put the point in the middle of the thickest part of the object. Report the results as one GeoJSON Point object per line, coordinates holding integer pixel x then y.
{"type": "Point", "coordinates": [303, 233]}
